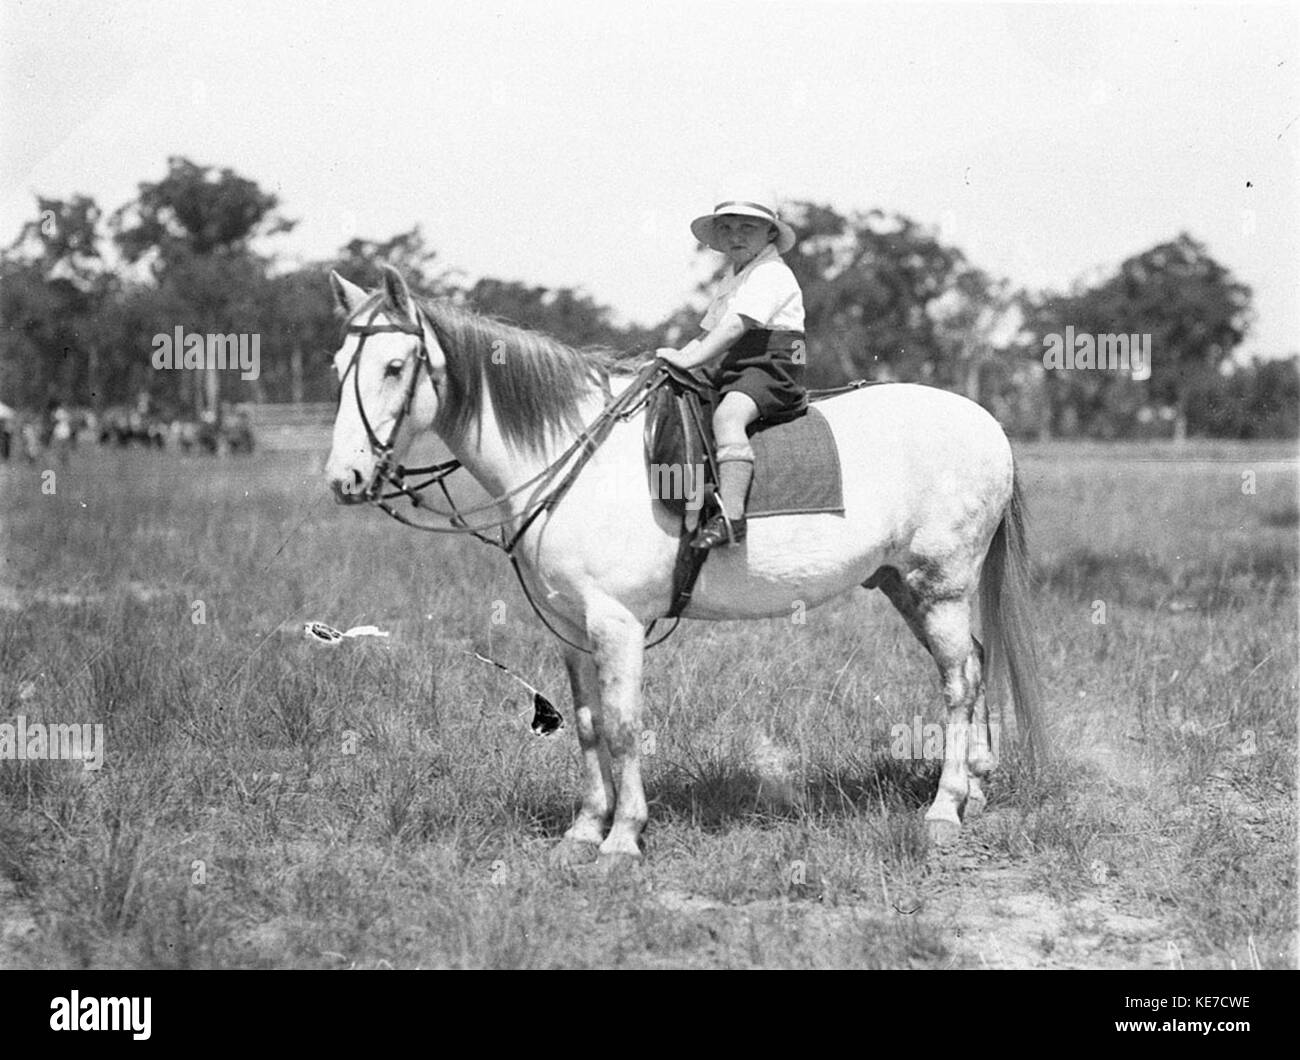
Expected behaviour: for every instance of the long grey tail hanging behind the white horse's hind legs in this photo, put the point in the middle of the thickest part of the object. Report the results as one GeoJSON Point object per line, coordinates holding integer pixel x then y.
{"type": "Point", "coordinates": [1007, 621]}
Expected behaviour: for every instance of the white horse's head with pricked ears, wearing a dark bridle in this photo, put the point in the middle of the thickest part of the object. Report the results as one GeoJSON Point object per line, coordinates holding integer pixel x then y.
{"type": "Point", "coordinates": [391, 371]}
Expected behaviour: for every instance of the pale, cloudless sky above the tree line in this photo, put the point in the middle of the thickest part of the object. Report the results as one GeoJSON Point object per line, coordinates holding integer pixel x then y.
{"type": "Point", "coordinates": [571, 144]}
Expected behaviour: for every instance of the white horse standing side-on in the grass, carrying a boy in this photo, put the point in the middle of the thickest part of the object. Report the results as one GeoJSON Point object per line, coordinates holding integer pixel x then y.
{"type": "Point", "coordinates": [933, 513]}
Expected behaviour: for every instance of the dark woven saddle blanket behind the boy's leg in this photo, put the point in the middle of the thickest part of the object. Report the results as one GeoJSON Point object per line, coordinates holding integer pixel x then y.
{"type": "Point", "coordinates": [796, 470]}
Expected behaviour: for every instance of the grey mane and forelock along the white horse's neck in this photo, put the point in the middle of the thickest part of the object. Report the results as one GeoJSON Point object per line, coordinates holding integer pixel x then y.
{"type": "Point", "coordinates": [536, 384]}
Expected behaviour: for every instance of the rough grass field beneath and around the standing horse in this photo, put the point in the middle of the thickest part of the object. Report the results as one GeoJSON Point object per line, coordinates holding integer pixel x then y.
{"type": "Point", "coordinates": [270, 802]}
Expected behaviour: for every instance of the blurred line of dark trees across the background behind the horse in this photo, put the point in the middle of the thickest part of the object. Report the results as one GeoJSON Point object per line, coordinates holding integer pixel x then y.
{"type": "Point", "coordinates": [84, 295]}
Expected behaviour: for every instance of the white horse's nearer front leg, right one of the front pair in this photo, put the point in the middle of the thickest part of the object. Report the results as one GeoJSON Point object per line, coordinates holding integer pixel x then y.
{"type": "Point", "coordinates": [619, 644]}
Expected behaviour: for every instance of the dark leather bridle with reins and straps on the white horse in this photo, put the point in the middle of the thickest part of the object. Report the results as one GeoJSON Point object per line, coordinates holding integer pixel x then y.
{"type": "Point", "coordinates": [549, 486]}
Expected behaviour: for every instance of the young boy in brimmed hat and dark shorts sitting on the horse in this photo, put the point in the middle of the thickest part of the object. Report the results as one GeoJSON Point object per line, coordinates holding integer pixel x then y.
{"type": "Point", "coordinates": [753, 347]}
